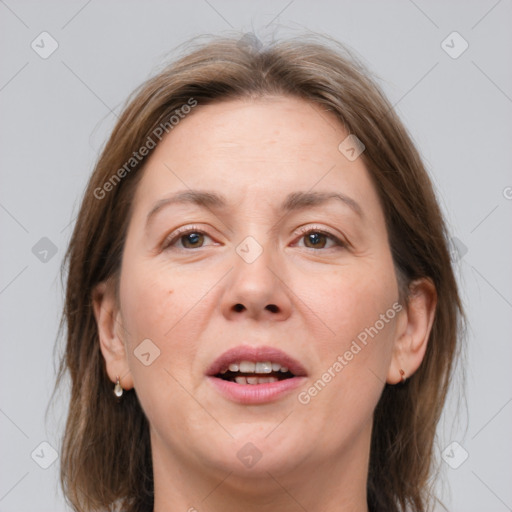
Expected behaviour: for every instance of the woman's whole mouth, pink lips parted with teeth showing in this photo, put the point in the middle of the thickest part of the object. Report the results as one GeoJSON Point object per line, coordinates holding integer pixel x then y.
{"type": "Point", "coordinates": [251, 375]}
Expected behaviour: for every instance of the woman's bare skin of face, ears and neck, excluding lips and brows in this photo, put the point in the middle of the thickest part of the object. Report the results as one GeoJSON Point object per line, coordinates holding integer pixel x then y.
{"type": "Point", "coordinates": [314, 455]}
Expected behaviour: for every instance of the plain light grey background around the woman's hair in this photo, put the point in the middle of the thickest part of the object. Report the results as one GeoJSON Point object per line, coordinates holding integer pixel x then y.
{"type": "Point", "coordinates": [57, 112]}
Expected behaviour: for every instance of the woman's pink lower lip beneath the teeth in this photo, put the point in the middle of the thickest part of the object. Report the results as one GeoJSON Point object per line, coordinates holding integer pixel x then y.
{"type": "Point", "coordinates": [255, 393]}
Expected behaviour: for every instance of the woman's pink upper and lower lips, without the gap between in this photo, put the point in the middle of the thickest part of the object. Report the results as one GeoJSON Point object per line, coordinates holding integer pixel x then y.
{"type": "Point", "coordinates": [255, 393]}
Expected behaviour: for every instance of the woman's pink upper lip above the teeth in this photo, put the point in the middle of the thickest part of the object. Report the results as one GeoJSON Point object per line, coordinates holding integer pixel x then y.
{"type": "Point", "coordinates": [255, 354]}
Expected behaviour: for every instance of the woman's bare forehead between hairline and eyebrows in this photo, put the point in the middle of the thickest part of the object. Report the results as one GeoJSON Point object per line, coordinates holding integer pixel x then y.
{"type": "Point", "coordinates": [255, 150]}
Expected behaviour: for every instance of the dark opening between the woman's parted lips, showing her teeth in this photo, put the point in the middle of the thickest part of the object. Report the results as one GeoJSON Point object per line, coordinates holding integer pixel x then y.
{"type": "Point", "coordinates": [248, 372]}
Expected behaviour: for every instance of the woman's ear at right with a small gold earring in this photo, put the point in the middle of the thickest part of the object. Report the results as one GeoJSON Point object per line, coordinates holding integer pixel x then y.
{"type": "Point", "coordinates": [413, 330]}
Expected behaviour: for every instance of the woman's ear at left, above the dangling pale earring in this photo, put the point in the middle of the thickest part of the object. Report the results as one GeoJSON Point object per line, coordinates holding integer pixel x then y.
{"type": "Point", "coordinates": [110, 333]}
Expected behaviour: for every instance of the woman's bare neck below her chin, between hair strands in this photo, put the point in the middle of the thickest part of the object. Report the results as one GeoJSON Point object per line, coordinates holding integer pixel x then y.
{"type": "Point", "coordinates": [337, 484]}
